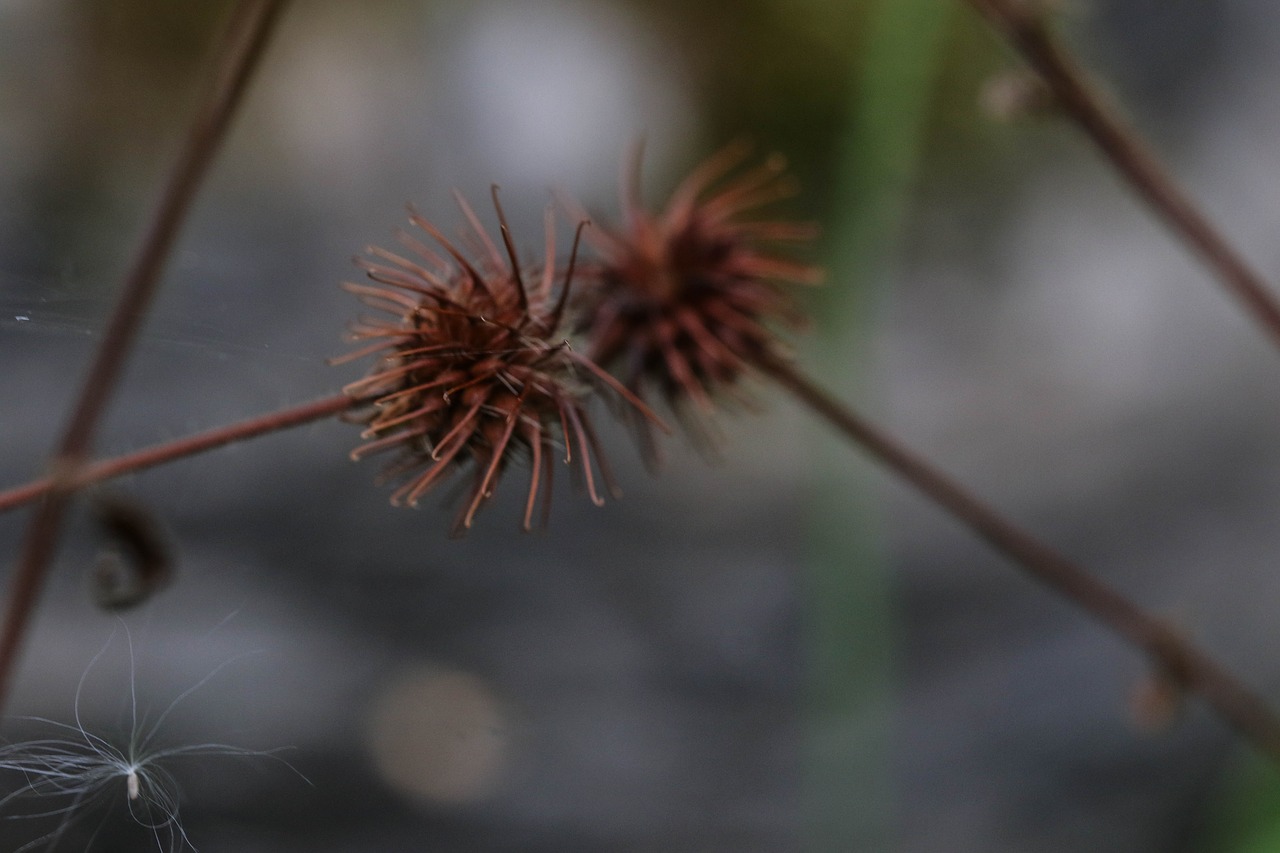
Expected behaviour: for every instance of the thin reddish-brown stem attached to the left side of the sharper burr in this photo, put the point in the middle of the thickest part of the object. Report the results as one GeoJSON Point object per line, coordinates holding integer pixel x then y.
{"type": "Point", "coordinates": [108, 469]}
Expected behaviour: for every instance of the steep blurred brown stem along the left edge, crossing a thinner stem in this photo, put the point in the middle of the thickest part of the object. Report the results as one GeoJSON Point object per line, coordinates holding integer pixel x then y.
{"type": "Point", "coordinates": [235, 61]}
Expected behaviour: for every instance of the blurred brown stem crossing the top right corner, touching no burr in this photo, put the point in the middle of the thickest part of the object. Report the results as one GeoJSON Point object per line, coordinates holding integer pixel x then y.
{"type": "Point", "coordinates": [1026, 29]}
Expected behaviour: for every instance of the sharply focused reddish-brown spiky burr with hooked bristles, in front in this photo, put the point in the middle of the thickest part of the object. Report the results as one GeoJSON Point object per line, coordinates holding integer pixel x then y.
{"type": "Point", "coordinates": [470, 372]}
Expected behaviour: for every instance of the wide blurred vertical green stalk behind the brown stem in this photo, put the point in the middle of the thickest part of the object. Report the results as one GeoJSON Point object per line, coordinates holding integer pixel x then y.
{"type": "Point", "coordinates": [849, 778]}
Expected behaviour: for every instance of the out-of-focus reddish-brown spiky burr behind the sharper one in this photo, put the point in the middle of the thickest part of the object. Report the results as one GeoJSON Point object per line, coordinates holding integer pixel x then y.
{"type": "Point", "coordinates": [684, 299]}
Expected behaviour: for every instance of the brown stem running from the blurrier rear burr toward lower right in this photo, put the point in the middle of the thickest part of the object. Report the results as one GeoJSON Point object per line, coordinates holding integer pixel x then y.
{"type": "Point", "coordinates": [1172, 655]}
